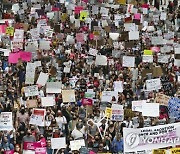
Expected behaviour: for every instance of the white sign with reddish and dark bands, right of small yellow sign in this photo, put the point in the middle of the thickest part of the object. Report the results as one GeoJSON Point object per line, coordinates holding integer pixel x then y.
{"type": "Point", "coordinates": [117, 112]}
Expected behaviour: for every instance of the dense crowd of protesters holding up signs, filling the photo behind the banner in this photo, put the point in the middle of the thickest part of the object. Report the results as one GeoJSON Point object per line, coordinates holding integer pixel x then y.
{"type": "Point", "coordinates": [83, 45]}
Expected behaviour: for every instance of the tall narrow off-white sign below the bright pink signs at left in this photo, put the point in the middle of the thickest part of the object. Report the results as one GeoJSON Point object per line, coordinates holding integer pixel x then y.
{"type": "Point", "coordinates": [30, 72]}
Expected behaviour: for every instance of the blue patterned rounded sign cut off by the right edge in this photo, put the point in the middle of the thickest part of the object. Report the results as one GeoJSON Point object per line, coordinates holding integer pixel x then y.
{"type": "Point", "coordinates": [173, 108]}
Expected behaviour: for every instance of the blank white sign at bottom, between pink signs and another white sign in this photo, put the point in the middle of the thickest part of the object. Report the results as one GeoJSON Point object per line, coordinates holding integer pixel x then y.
{"type": "Point", "coordinates": [58, 143]}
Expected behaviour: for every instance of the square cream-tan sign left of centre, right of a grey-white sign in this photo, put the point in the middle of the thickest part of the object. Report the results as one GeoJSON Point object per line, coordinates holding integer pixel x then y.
{"type": "Point", "coordinates": [68, 96]}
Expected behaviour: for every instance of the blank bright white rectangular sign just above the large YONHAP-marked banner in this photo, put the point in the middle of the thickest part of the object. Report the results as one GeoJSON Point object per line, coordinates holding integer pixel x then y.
{"type": "Point", "coordinates": [150, 109]}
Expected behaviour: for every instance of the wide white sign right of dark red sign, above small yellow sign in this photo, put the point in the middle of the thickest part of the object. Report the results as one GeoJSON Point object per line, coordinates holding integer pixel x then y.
{"type": "Point", "coordinates": [107, 96]}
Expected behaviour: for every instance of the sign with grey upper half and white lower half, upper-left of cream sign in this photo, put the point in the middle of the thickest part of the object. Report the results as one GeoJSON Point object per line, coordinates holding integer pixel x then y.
{"type": "Point", "coordinates": [53, 87]}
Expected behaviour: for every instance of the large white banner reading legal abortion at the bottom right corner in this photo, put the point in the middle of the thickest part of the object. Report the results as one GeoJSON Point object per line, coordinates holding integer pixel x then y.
{"type": "Point", "coordinates": [150, 138]}
